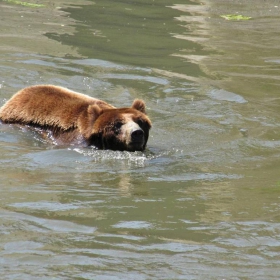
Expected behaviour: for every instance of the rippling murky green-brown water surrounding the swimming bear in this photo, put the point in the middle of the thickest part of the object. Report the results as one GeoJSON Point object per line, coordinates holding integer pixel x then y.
{"type": "Point", "coordinates": [202, 202]}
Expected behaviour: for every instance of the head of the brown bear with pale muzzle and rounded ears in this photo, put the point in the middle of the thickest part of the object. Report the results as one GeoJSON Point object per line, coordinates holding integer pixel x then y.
{"type": "Point", "coordinates": [123, 129]}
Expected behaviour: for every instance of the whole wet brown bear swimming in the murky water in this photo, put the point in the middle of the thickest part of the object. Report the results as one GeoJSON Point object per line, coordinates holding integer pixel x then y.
{"type": "Point", "coordinates": [74, 118]}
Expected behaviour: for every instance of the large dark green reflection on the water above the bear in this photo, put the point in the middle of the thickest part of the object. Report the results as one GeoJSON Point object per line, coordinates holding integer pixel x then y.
{"type": "Point", "coordinates": [122, 32]}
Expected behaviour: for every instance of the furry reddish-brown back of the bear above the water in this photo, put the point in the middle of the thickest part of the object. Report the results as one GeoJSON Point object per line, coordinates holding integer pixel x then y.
{"type": "Point", "coordinates": [48, 106]}
